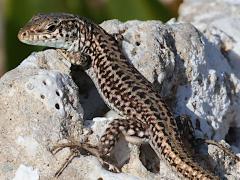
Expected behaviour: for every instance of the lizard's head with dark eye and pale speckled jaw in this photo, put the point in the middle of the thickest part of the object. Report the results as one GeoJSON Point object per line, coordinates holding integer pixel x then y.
{"type": "Point", "coordinates": [58, 30]}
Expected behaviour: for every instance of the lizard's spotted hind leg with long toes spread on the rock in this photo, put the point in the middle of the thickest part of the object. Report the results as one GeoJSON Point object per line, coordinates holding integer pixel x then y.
{"type": "Point", "coordinates": [133, 130]}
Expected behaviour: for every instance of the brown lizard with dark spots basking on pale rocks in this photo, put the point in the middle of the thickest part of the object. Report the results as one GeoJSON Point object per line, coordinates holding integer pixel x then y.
{"type": "Point", "coordinates": [145, 115]}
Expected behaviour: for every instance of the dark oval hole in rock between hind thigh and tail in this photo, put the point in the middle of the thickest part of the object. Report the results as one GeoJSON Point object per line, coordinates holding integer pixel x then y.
{"type": "Point", "coordinates": [149, 158]}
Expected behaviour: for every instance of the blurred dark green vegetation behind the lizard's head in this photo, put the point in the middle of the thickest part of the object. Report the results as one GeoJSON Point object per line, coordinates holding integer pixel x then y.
{"type": "Point", "coordinates": [18, 12]}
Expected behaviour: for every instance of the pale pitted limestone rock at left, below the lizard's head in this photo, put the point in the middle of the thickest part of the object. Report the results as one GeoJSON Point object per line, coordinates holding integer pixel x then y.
{"type": "Point", "coordinates": [39, 105]}
